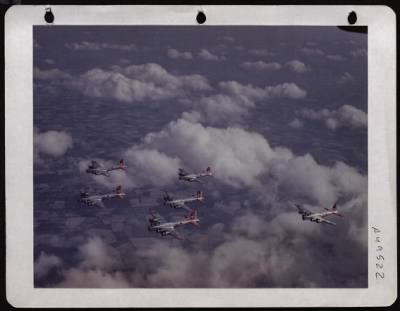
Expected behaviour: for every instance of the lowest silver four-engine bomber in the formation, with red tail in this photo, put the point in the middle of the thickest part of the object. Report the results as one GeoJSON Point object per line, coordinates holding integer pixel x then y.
{"type": "Point", "coordinates": [159, 225]}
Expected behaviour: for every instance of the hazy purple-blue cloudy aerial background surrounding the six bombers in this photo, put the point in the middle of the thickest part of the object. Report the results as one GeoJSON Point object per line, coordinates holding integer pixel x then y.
{"type": "Point", "coordinates": [279, 113]}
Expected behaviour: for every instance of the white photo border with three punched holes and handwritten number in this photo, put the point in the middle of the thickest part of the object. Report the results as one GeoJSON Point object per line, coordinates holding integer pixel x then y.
{"type": "Point", "coordinates": [381, 22]}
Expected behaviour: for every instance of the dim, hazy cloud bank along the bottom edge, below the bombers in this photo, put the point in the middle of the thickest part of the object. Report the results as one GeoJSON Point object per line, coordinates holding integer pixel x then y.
{"type": "Point", "coordinates": [250, 252]}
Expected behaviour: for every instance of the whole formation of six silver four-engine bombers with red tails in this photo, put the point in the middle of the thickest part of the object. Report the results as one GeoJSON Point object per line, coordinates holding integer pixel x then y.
{"type": "Point", "coordinates": [156, 223]}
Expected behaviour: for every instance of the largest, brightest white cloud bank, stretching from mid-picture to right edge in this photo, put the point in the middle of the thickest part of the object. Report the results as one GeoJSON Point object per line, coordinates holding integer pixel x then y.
{"type": "Point", "coordinates": [241, 158]}
